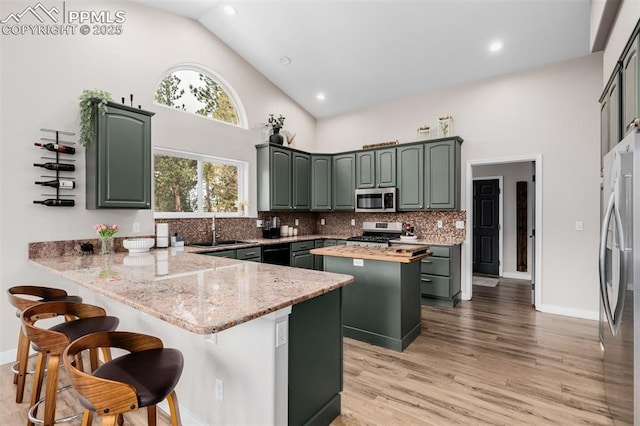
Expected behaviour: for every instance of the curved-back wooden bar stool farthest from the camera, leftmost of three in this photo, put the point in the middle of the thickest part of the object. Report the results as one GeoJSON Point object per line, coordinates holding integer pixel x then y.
{"type": "Point", "coordinates": [22, 297]}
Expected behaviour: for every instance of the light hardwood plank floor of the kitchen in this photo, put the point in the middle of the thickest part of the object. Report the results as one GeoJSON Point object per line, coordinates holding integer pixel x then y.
{"type": "Point", "coordinates": [493, 360]}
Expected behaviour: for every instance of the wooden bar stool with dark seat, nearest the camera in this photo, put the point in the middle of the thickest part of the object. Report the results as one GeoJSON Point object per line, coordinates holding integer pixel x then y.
{"type": "Point", "coordinates": [144, 377]}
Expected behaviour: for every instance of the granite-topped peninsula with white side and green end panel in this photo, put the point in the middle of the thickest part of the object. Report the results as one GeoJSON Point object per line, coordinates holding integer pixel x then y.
{"type": "Point", "coordinates": [252, 334]}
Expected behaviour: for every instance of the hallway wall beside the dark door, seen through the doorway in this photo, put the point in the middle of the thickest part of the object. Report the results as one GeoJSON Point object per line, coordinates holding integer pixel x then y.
{"type": "Point", "coordinates": [511, 173]}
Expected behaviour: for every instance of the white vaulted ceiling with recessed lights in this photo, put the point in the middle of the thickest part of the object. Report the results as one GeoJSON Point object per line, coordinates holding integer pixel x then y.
{"type": "Point", "coordinates": [365, 52]}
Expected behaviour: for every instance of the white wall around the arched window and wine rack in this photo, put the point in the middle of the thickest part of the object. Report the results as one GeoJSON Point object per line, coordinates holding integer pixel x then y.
{"type": "Point", "coordinates": [42, 77]}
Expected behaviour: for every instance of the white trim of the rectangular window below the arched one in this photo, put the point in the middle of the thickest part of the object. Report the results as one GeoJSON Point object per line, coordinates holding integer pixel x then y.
{"type": "Point", "coordinates": [243, 183]}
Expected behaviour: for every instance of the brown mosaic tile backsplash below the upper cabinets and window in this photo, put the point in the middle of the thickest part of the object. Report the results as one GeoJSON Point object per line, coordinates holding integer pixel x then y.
{"type": "Point", "coordinates": [336, 223]}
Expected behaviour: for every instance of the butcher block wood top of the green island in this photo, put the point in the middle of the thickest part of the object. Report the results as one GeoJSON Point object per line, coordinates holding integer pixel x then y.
{"type": "Point", "coordinates": [398, 253]}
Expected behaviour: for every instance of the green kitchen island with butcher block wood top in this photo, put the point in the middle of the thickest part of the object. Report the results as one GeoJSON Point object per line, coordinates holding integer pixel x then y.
{"type": "Point", "coordinates": [382, 306]}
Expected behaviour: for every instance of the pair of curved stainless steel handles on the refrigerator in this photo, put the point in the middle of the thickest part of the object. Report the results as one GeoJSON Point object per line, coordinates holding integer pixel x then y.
{"type": "Point", "coordinates": [612, 213]}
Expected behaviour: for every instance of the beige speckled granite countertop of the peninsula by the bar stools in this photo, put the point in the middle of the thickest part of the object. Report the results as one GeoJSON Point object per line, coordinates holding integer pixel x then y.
{"type": "Point", "coordinates": [202, 294]}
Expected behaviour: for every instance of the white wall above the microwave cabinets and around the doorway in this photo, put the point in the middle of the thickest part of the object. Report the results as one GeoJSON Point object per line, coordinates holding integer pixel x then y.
{"type": "Point", "coordinates": [551, 111]}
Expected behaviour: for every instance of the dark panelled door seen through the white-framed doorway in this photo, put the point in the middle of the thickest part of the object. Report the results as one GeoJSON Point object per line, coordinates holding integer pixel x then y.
{"type": "Point", "coordinates": [486, 226]}
